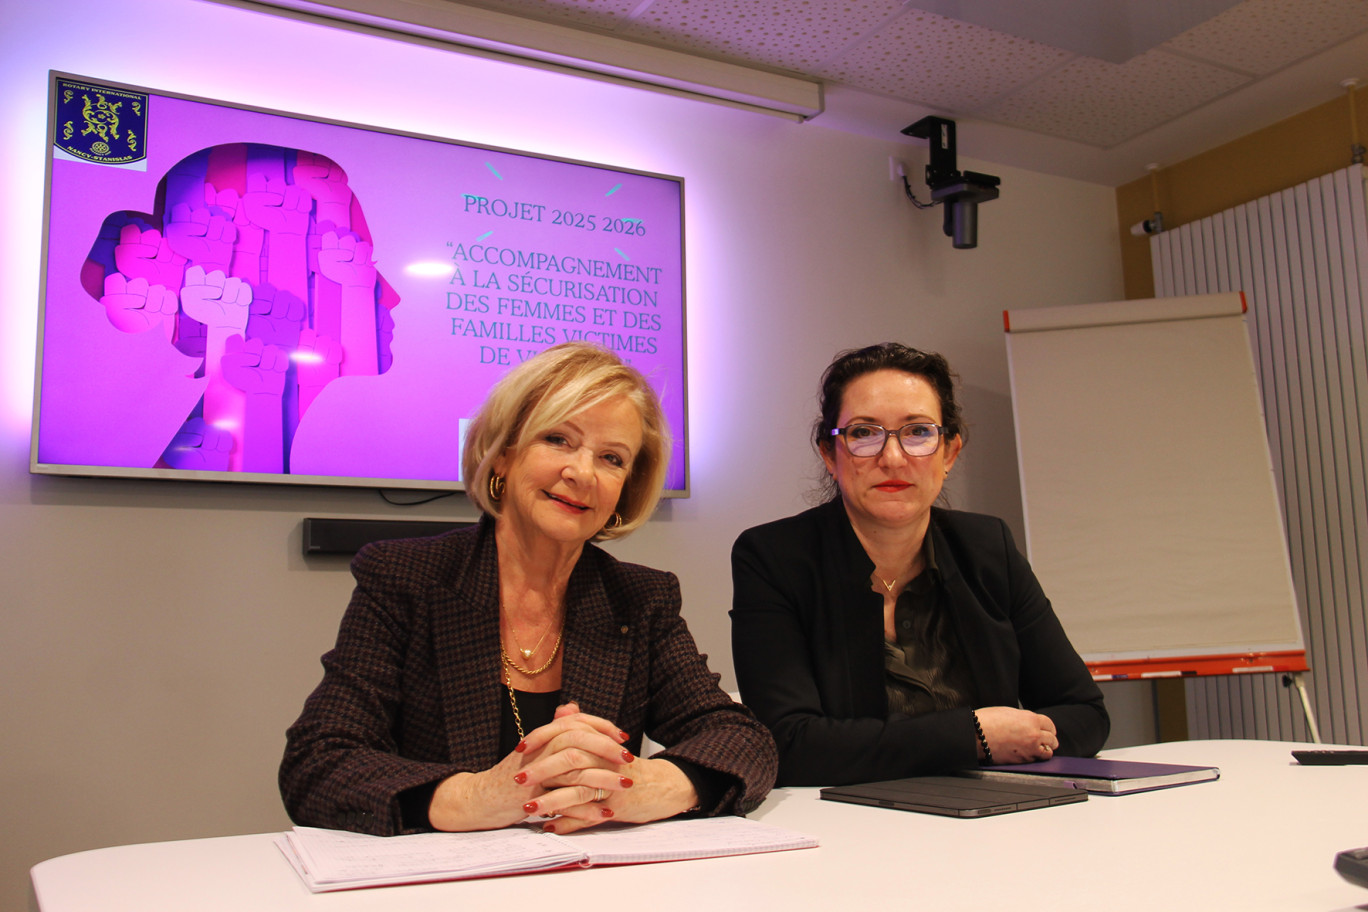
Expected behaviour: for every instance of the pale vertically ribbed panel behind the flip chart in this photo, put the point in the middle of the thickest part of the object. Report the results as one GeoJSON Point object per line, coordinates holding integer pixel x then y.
{"type": "Point", "coordinates": [1302, 259]}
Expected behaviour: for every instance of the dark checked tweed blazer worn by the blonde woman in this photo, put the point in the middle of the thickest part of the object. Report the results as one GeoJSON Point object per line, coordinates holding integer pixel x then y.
{"type": "Point", "coordinates": [412, 693]}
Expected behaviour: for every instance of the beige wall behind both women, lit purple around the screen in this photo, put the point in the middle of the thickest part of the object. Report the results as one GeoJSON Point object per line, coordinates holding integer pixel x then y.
{"type": "Point", "coordinates": [159, 636]}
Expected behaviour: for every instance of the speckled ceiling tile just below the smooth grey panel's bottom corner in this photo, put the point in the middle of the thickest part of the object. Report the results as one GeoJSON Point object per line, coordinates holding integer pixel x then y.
{"type": "Point", "coordinates": [1103, 105]}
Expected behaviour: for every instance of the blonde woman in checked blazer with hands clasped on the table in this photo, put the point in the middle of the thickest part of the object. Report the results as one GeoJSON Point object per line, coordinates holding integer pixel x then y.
{"type": "Point", "coordinates": [511, 669]}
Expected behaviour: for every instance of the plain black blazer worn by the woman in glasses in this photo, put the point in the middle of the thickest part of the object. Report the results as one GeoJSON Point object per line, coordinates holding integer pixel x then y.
{"type": "Point", "coordinates": [808, 642]}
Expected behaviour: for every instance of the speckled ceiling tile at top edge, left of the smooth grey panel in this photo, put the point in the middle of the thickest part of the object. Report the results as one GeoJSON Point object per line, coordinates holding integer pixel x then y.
{"type": "Point", "coordinates": [793, 35]}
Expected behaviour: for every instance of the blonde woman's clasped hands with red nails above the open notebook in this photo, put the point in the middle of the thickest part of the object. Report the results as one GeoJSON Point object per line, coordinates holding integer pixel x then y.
{"type": "Point", "coordinates": [562, 770]}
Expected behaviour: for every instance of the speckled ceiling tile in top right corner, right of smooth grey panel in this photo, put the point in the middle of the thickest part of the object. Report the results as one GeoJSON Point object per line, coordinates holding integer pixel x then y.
{"type": "Point", "coordinates": [1263, 36]}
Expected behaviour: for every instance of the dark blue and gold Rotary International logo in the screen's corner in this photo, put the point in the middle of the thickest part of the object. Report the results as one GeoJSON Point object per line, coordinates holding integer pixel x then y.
{"type": "Point", "coordinates": [101, 124]}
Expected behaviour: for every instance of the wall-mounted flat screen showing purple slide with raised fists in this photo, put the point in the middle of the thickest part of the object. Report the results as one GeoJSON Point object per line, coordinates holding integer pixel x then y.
{"type": "Point", "coordinates": [243, 295]}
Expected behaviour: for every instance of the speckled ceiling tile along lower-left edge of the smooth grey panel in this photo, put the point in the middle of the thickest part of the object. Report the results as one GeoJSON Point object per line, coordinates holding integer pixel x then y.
{"type": "Point", "coordinates": [943, 64]}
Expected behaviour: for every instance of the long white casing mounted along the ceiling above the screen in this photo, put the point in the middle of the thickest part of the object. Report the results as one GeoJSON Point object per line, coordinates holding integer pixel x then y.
{"type": "Point", "coordinates": [573, 50]}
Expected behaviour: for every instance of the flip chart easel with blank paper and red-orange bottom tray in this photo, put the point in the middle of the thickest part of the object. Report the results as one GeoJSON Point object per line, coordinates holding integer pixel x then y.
{"type": "Point", "coordinates": [1153, 516]}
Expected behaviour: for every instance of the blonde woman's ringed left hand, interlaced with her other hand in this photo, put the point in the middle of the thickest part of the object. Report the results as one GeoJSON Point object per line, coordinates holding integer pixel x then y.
{"type": "Point", "coordinates": [659, 790]}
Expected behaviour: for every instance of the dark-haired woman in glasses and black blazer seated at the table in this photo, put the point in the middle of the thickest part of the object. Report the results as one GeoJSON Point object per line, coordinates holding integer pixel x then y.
{"type": "Point", "coordinates": [880, 636]}
